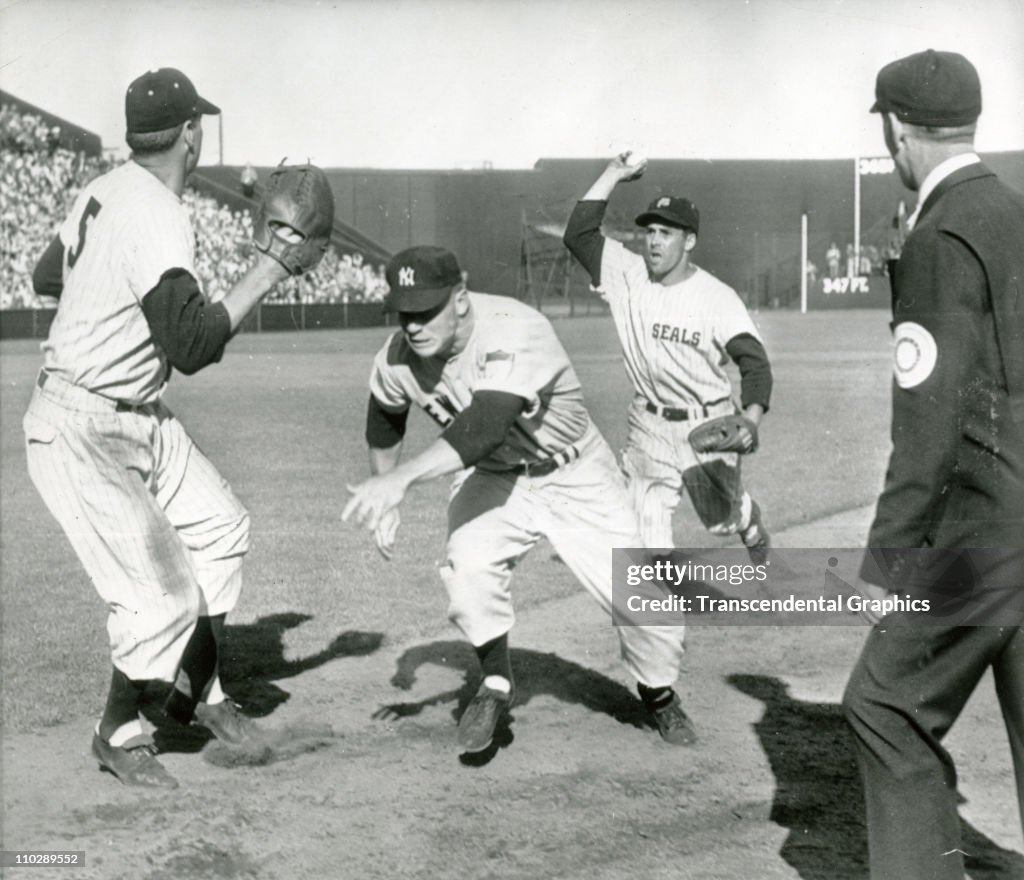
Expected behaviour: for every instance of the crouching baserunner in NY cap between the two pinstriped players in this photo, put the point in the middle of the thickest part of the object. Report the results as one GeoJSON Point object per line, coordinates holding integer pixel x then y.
{"type": "Point", "coordinates": [529, 462]}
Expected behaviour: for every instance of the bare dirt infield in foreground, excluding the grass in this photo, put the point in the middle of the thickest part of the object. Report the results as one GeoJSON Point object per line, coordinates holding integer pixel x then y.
{"type": "Point", "coordinates": [577, 786]}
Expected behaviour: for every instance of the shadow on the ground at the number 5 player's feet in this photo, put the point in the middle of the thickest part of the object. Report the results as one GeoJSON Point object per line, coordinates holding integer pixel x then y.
{"type": "Point", "coordinates": [252, 661]}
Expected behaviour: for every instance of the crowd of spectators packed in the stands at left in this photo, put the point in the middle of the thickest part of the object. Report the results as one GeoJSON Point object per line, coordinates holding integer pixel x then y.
{"type": "Point", "coordinates": [39, 182]}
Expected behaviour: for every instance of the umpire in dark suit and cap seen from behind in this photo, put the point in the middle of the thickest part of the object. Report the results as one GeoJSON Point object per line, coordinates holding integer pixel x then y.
{"type": "Point", "coordinates": [950, 524]}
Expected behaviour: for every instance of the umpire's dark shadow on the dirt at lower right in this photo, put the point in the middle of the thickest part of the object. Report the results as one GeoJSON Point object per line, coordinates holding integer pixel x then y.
{"type": "Point", "coordinates": [820, 797]}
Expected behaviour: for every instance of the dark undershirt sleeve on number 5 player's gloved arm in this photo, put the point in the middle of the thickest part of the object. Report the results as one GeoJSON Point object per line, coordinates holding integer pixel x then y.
{"type": "Point", "coordinates": [192, 330]}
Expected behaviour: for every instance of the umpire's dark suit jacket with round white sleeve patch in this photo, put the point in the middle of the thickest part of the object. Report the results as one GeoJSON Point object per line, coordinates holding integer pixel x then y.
{"type": "Point", "coordinates": [956, 479]}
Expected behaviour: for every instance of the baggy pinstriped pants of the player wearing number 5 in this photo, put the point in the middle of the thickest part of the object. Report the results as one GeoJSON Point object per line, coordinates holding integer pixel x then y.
{"type": "Point", "coordinates": [157, 528]}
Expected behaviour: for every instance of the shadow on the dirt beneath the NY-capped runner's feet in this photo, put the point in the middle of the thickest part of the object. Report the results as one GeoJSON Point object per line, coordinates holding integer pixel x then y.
{"type": "Point", "coordinates": [537, 674]}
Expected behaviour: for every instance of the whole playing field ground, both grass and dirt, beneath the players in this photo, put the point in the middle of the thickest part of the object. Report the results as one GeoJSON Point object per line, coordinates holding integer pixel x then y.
{"type": "Point", "coordinates": [350, 663]}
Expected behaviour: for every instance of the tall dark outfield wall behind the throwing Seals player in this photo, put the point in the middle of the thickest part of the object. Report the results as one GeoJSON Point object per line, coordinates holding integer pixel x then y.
{"type": "Point", "coordinates": [751, 213]}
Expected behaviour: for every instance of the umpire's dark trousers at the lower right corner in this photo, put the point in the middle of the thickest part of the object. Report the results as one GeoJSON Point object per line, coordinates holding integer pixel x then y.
{"type": "Point", "coordinates": [909, 687]}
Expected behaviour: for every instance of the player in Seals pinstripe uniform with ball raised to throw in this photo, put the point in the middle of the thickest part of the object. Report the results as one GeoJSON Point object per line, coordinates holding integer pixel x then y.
{"type": "Point", "coordinates": [679, 327]}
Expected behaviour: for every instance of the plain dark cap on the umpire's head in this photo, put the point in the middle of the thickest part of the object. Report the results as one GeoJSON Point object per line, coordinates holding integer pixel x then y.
{"type": "Point", "coordinates": [930, 89]}
